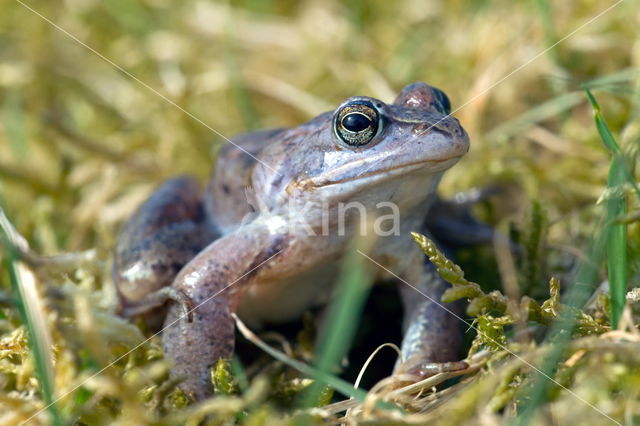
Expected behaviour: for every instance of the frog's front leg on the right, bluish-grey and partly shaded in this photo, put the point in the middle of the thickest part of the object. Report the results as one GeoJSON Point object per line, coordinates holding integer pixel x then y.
{"type": "Point", "coordinates": [432, 337]}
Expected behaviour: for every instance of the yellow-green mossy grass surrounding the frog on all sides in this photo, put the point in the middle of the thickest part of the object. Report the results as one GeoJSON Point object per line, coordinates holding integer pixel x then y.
{"type": "Point", "coordinates": [81, 145]}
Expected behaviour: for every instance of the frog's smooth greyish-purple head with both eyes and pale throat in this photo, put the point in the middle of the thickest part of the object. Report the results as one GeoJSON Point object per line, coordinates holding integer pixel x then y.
{"type": "Point", "coordinates": [367, 150]}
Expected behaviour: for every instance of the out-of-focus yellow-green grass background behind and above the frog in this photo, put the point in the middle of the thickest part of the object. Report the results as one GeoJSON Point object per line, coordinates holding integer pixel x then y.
{"type": "Point", "coordinates": [82, 143]}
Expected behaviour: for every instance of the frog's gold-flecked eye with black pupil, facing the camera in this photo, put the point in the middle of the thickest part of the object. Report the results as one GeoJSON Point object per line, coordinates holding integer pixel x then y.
{"type": "Point", "coordinates": [357, 123]}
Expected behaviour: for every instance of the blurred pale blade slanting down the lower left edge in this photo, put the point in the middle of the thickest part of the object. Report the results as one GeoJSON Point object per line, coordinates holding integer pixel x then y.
{"type": "Point", "coordinates": [30, 307]}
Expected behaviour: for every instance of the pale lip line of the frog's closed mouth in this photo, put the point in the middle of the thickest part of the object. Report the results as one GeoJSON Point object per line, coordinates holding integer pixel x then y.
{"type": "Point", "coordinates": [432, 165]}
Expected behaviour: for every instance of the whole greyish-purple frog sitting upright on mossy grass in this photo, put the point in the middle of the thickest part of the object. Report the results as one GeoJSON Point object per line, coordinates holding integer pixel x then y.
{"type": "Point", "coordinates": [261, 240]}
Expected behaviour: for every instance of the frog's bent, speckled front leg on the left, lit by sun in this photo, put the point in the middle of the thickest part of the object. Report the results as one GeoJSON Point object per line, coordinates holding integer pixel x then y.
{"type": "Point", "coordinates": [214, 281]}
